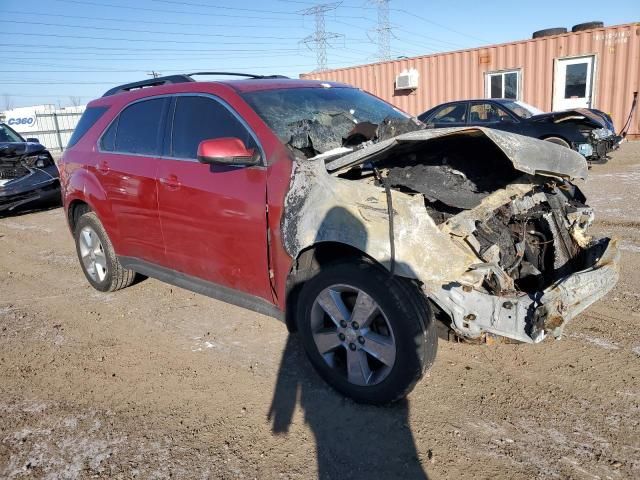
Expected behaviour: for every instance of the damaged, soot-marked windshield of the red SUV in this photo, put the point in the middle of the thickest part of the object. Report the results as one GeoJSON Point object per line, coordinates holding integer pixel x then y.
{"type": "Point", "coordinates": [316, 120]}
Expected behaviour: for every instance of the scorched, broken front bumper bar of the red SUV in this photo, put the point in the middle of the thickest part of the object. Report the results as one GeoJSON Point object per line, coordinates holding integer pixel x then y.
{"type": "Point", "coordinates": [530, 317]}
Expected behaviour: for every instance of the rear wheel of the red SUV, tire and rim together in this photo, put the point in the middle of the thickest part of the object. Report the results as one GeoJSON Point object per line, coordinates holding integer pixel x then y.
{"type": "Point", "coordinates": [97, 257]}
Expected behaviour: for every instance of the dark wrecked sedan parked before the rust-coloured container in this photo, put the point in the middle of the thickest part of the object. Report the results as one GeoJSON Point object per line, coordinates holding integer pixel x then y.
{"type": "Point", "coordinates": [588, 131]}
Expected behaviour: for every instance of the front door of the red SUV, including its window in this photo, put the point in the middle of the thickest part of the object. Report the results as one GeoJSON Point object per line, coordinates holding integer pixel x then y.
{"type": "Point", "coordinates": [213, 217]}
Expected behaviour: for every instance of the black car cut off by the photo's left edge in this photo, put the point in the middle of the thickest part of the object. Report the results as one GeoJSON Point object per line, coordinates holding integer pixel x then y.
{"type": "Point", "coordinates": [28, 174]}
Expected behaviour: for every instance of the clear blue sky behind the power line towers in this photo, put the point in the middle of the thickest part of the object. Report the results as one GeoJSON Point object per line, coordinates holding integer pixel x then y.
{"type": "Point", "coordinates": [66, 52]}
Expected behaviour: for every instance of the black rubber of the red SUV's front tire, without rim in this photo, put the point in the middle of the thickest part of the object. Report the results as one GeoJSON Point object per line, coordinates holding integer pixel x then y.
{"type": "Point", "coordinates": [407, 313]}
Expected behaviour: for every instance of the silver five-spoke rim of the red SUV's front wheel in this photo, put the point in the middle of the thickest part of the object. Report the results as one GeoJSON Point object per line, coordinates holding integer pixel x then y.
{"type": "Point", "coordinates": [353, 335]}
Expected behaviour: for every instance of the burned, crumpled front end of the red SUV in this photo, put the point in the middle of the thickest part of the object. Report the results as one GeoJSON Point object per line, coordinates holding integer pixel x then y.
{"type": "Point", "coordinates": [487, 222]}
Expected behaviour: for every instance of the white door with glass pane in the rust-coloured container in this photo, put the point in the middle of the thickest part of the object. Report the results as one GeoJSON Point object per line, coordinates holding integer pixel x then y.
{"type": "Point", "coordinates": [573, 85]}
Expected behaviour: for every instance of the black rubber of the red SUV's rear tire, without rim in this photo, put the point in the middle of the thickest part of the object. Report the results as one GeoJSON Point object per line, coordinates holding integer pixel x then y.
{"type": "Point", "coordinates": [116, 277]}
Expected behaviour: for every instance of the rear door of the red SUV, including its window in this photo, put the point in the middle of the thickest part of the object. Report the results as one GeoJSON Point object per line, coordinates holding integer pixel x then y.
{"type": "Point", "coordinates": [126, 168]}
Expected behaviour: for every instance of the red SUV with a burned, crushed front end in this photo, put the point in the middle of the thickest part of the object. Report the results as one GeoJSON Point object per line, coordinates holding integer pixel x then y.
{"type": "Point", "coordinates": [320, 204]}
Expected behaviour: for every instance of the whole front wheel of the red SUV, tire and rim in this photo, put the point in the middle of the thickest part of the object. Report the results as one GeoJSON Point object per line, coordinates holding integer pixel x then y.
{"type": "Point", "coordinates": [401, 332]}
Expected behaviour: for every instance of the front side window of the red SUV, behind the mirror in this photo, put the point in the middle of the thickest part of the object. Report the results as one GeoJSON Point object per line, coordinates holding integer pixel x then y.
{"type": "Point", "coordinates": [200, 118]}
